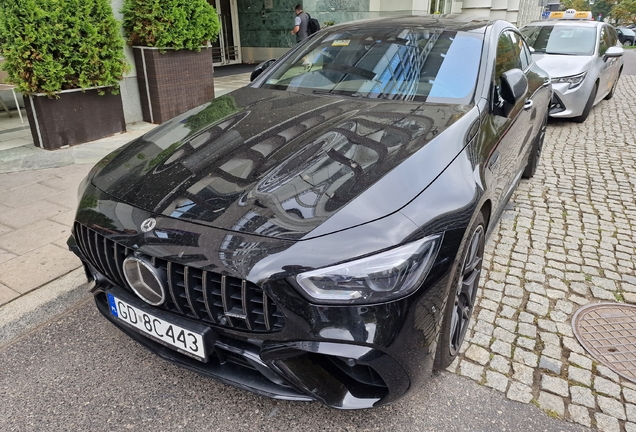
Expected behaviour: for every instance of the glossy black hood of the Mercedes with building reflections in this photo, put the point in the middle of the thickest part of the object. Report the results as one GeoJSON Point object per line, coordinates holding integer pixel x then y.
{"type": "Point", "coordinates": [280, 164]}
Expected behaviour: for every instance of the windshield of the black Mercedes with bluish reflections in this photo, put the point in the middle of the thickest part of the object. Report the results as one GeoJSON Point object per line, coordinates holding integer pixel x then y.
{"type": "Point", "coordinates": [404, 64]}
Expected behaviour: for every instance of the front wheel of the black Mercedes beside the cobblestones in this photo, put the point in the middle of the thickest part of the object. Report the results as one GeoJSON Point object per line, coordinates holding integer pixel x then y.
{"type": "Point", "coordinates": [462, 295]}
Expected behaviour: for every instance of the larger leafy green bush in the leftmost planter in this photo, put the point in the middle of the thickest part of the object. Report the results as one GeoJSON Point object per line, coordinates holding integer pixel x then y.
{"type": "Point", "coordinates": [53, 45]}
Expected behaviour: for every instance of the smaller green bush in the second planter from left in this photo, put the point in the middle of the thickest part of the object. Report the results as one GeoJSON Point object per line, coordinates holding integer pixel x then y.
{"type": "Point", "coordinates": [178, 24]}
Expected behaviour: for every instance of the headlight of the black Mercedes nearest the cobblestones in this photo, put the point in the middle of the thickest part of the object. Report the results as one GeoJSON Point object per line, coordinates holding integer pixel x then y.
{"type": "Point", "coordinates": [373, 279]}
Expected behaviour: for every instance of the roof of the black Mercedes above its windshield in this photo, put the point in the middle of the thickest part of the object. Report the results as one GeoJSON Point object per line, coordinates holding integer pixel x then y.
{"type": "Point", "coordinates": [452, 22]}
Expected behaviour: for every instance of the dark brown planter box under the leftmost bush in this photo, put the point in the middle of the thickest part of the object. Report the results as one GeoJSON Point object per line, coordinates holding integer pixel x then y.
{"type": "Point", "coordinates": [75, 117]}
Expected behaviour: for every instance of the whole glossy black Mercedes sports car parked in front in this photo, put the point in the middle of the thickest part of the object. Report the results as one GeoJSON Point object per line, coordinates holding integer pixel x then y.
{"type": "Point", "coordinates": [319, 234]}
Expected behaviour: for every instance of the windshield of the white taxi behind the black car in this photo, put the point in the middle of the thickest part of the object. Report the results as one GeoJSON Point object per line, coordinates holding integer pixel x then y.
{"type": "Point", "coordinates": [563, 40]}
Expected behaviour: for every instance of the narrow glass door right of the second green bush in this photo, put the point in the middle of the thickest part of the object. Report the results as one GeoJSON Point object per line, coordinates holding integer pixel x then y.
{"type": "Point", "coordinates": [227, 49]}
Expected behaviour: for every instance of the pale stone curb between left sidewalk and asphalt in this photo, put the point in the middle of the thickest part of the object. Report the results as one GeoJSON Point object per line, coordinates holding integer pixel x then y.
{"type": "Point", "coordinates": [31, 310]}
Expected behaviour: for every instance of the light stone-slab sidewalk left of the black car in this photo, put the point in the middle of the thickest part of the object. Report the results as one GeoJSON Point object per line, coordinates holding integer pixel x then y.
{"type": "Point", "coordinates": [36, 214]}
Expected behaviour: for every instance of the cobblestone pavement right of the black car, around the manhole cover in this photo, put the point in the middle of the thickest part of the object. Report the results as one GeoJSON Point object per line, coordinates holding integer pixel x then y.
{"type": "Point", "coordinates": [568, 238]}
